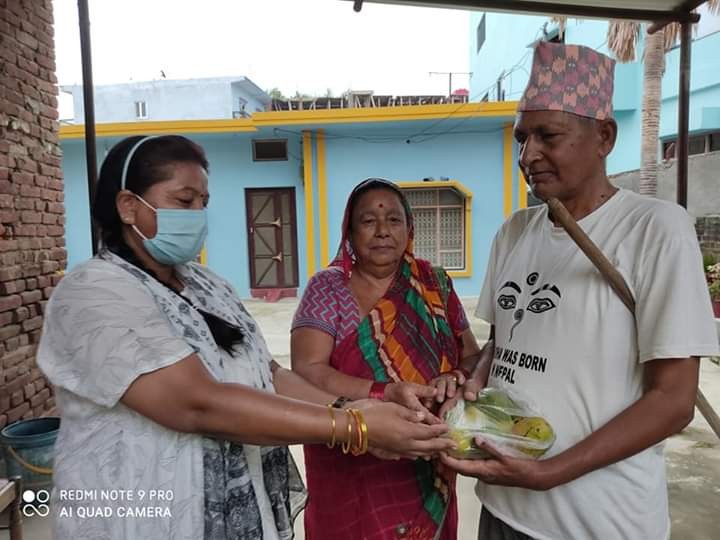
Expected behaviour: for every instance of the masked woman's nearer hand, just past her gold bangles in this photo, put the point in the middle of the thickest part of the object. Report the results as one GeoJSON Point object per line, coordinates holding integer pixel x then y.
{"type": "Point", "coordinates": [399, 432]}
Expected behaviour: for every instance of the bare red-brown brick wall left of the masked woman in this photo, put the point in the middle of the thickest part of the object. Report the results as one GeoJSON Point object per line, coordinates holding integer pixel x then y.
{"type": "Point", "coordinates": [32, 214]}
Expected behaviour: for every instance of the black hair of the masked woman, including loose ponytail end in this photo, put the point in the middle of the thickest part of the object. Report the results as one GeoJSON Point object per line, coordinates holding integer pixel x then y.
{"type": "Point", "coordinates": [152, 162]}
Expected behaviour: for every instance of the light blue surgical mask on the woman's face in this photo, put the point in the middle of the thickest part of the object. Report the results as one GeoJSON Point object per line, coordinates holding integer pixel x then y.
{"type": "Point", "coordinates": [180, 234]}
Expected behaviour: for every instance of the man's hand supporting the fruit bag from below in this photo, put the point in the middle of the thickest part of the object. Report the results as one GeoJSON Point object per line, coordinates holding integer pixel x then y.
{"type": "Point", "coordinates": [504, 470]}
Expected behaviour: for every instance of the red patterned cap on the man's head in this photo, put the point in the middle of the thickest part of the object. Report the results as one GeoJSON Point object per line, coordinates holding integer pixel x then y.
{"type": "Point", "coordinates": [570, 78]}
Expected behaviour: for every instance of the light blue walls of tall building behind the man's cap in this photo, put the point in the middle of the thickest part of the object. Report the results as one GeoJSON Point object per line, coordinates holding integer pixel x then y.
{"type": "Point", "coordinates": [506, 49]}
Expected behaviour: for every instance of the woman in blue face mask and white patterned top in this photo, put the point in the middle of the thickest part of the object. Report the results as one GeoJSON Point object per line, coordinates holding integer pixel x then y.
{"type": "Point", "coordinates": [174, 416]}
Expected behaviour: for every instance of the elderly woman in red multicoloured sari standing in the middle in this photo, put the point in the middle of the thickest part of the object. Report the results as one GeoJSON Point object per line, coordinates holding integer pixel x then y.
{"type": "Point", "coordinates": [380, 323]}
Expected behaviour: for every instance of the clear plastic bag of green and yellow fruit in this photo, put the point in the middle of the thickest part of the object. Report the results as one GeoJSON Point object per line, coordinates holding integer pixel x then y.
{"type": "Point", "coordinates": [508, 422]}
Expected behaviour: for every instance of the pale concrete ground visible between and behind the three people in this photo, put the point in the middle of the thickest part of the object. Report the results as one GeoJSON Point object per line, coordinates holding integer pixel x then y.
{"type": "Point", "coordinates": [693, 456]}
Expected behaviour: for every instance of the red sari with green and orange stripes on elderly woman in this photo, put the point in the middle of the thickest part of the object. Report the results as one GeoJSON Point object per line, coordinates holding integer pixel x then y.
{"type": "Point", "coordinates": [406, 336]}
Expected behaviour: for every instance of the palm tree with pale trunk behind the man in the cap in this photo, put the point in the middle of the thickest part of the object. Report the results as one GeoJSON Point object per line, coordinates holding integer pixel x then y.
{"type": "Point", "coordinates": [623, 39]}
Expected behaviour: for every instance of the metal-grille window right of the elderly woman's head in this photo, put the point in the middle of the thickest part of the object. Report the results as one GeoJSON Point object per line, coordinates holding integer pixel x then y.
{"type": "Point", "coordinates": [439, 216]}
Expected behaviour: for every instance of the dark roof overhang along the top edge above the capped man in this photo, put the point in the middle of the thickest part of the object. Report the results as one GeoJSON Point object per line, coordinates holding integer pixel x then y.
{"type": "Point", "coordinates": [643, 10]}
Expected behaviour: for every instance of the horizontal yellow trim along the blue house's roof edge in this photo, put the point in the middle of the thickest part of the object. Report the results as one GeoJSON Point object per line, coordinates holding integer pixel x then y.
{"type": "Point", "coordinates": [284, 118]}
